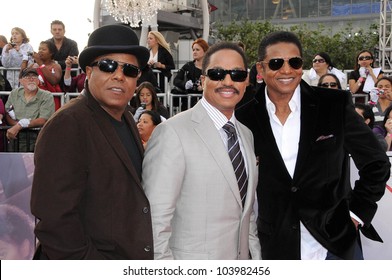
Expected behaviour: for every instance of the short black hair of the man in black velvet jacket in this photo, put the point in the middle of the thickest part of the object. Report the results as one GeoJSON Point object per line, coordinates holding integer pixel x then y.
{"type": "Point", "coordinates": [275, 38]}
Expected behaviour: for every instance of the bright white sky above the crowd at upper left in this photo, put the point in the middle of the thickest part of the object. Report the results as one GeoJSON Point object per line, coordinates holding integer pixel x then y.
{"type": "Point", "coordinates": [35, 18]}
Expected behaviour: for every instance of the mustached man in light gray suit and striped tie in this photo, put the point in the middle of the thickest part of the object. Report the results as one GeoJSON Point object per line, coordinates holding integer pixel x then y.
{"type": "Point", "coordinates": [201, 203]}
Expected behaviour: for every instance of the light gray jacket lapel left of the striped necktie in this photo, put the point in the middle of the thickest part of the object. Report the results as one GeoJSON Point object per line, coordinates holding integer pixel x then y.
{"type": "Point", "coordinates": [206, 130]}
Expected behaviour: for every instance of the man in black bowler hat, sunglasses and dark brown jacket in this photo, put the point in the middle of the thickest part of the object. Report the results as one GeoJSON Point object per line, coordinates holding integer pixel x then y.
{"type": "Point", "coordinates": [87, 193]}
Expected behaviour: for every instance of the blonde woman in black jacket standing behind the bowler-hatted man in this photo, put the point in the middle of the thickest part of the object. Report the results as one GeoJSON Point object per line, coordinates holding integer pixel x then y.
{"type": "Point", "coordinates": [160, 56]}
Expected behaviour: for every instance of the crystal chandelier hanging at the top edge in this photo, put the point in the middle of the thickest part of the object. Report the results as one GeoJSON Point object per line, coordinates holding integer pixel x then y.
{"type": "Point", "coordinates": [132, 11]}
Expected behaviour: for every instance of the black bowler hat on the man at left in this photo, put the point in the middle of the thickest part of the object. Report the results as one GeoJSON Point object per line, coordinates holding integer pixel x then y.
{"type": "Point", "coordinates": [113, 39]}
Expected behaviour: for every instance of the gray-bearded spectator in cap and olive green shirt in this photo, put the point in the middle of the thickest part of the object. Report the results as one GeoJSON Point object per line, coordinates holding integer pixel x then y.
{"type": "Point", "coordinates": [27, 106]}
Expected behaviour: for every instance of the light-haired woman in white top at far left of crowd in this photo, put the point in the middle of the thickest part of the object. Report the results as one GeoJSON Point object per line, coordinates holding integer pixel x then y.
{"type": "Point", "coordinates": [14, 53]}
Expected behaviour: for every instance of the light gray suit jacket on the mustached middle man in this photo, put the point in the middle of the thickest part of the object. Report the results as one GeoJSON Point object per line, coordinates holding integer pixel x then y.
{"type": "Point", "coordinates": [195, 202]}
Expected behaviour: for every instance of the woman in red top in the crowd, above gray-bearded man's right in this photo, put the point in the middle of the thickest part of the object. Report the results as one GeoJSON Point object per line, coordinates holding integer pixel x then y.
{"type": "Point", "coordinates": [49, 72]}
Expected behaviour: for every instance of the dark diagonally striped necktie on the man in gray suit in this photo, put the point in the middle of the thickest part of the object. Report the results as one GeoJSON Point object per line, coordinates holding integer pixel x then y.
{"type": "Point", "coordinates": [237, 159]}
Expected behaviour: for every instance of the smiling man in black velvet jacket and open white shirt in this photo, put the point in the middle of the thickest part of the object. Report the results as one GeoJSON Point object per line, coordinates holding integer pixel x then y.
{"type": "Point", "coordinates": [303, 138]}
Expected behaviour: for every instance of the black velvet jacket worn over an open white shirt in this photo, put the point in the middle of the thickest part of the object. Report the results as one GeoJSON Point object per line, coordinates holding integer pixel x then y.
{"type": "Point", "coordinates": [320, 193]}
